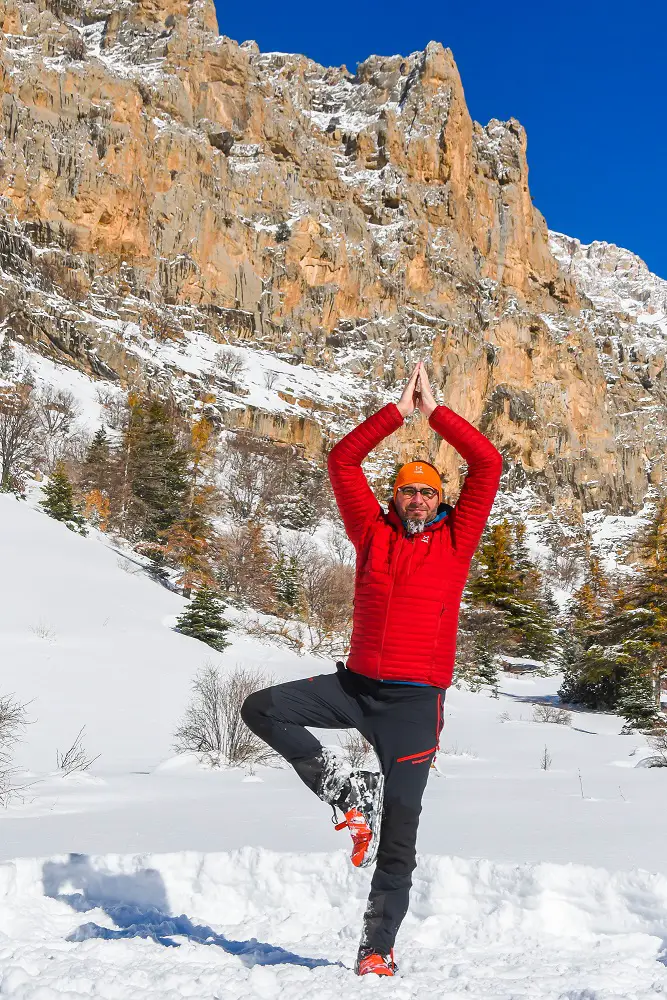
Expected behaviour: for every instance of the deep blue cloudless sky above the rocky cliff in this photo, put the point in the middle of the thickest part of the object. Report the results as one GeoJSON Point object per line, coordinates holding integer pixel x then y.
{"type": "Point", "coordinates": [587, 80]}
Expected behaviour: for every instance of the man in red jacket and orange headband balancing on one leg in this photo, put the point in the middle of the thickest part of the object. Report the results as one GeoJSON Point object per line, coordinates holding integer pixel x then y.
{"type": "Point", "coordinates": [412, 565]}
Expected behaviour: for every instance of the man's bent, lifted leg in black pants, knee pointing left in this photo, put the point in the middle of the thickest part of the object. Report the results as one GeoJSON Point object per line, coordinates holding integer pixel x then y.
{"type": "Point", "coordinates": [280, 714]}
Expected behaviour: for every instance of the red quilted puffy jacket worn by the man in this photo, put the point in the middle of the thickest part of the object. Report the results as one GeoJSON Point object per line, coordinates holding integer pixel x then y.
{"type": "Point", "coordinates": [408, 587]}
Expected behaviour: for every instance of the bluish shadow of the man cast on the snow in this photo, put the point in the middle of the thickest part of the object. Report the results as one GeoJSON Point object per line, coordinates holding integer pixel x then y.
{"type": "Point", "coordinates": [137, 903]}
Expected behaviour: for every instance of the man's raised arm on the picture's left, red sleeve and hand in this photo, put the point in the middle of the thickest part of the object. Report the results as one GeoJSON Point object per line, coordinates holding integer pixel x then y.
{"type": "Point", "coordinates": [355, 499]}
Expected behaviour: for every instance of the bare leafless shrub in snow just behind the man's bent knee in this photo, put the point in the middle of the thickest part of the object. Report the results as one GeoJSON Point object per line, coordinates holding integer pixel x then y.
{"type": "Point", "coordinates": [212, 725]}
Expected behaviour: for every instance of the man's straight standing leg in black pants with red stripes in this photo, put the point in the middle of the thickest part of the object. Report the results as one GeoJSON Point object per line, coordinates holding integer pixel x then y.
{"type": "Point", "coordinates": [406, 734]}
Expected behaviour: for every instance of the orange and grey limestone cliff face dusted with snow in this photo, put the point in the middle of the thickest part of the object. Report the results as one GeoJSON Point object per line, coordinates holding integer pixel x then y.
{"type": "Point", "coordinates": [163, 188]}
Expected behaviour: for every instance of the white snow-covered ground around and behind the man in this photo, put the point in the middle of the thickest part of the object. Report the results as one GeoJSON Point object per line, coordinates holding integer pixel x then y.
{"type": "Point", "coordinates": [531, 882]}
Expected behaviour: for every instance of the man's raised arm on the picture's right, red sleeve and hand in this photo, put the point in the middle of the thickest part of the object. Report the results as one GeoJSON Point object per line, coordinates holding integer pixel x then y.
{"type": "Point", "coordinates": [473, 506]}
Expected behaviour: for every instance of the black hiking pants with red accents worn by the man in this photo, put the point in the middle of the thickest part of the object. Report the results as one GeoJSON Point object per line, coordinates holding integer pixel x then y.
{"type": "Point", "coordinates": [402, 723]}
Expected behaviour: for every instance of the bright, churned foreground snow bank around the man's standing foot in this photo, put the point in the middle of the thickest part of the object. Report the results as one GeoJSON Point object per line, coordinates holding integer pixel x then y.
{"type": "Point", "coordinates": [259, 924]}
